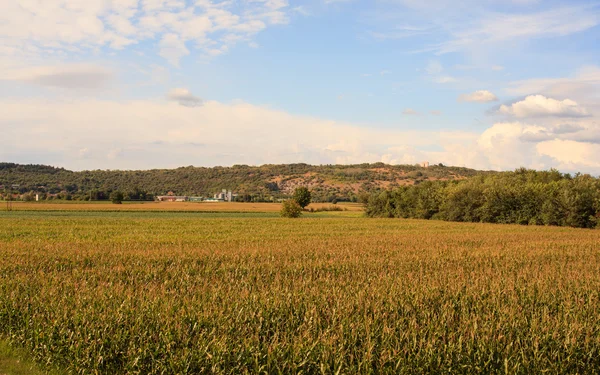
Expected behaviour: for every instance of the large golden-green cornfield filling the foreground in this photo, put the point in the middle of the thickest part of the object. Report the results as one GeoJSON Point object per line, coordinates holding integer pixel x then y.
{"type": "Point", "coordinates": [183, 293]}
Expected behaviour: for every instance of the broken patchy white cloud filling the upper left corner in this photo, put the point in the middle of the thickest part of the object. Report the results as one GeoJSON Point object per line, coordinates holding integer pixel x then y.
{"type": "Point", "coordinates": [39, 28]}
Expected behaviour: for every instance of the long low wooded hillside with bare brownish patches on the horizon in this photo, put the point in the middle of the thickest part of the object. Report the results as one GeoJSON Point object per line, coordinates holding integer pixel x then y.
{"type": "Point", "coordinates": [266, 182]}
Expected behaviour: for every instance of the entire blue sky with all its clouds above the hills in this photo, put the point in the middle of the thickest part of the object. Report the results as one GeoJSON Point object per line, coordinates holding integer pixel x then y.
{"type": "Point", "coordinates": [141, 84]}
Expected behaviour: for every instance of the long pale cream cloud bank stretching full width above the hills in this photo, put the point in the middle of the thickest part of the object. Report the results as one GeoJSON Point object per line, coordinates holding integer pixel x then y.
{"type": "Point", "coordinates": [157, 133]}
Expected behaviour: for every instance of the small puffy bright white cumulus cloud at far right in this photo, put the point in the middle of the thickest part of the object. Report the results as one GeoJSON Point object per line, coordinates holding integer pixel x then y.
{"type": "Point", "coordinates": [541, 106]}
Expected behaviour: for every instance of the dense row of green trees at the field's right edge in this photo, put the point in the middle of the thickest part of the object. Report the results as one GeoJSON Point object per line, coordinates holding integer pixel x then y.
{"type": "Point", "coordinates": [520, 197]}
